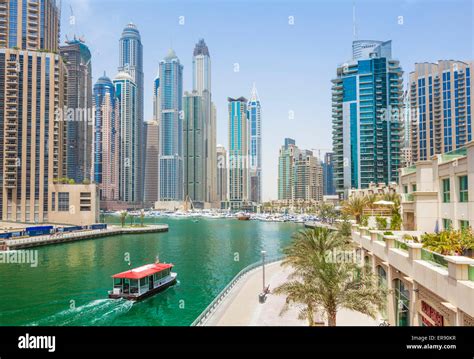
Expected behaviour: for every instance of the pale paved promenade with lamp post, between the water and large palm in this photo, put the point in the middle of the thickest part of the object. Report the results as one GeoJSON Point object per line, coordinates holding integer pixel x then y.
{"type": "Point", "coordinates": [242, 308]}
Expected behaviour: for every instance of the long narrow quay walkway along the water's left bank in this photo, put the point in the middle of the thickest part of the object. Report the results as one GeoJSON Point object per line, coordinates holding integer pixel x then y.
{"type": "Point", "coordinates": [29, 242]}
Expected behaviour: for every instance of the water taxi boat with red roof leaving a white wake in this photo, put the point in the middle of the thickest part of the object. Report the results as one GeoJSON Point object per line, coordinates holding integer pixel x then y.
{"type": "Point", "coordinates": [142, 282]}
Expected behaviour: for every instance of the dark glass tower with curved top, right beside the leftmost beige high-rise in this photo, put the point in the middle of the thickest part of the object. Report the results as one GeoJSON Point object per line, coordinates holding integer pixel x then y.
{"type": "Point", "coordinates": [78, 108]}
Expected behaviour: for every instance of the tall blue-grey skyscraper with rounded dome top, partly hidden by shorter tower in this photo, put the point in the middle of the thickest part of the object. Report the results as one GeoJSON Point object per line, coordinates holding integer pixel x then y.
{"type": "Point", "coordinates": [131, 62]}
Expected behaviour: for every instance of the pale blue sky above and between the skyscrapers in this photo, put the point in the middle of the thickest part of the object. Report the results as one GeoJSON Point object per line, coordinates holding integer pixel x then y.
{"type": "Point", "coordinates": [292, 65]}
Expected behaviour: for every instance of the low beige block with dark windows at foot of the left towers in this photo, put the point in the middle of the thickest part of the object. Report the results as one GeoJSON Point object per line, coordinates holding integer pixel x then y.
{"type": "Point", "coordinates": [75, 204]}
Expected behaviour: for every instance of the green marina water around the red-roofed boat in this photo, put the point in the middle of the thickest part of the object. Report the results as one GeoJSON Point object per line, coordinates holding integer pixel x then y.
{"type": "Point", "coordinates": [69, 286]}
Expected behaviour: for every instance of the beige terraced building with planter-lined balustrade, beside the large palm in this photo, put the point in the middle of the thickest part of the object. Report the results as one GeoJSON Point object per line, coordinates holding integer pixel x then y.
{"type": "Point", "coordinates": [424, 288]}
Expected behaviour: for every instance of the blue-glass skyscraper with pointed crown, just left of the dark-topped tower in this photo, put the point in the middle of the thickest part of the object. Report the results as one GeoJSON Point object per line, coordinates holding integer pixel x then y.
{"type": "Point", "coordinates": [171, 129]}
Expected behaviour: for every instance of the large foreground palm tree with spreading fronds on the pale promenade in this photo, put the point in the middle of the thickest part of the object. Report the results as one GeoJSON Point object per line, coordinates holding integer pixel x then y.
{"type": "Point", "coordinates": [322, 284]}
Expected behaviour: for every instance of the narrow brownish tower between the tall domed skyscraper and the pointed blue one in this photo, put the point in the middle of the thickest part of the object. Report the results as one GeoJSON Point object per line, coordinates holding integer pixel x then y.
{"type": "Point", "coordinates": [151, 163]}
